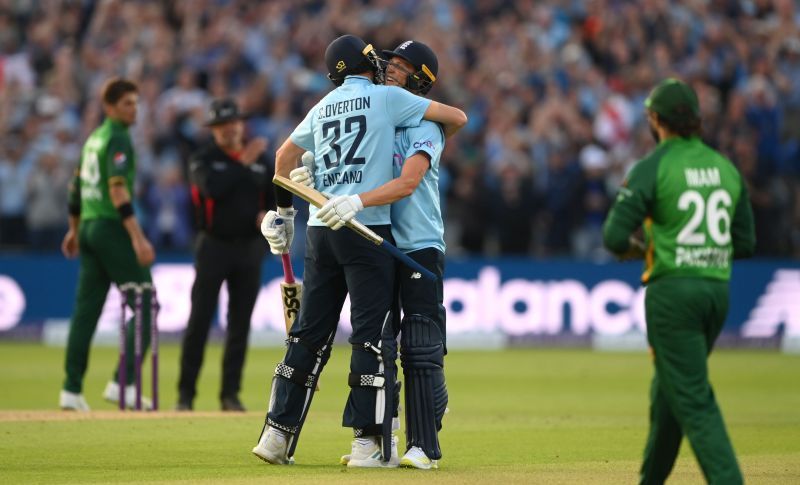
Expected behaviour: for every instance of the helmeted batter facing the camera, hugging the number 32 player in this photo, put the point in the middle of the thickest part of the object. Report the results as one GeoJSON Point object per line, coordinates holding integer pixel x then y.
{"type": "Point", "coordinates": [418, 230]}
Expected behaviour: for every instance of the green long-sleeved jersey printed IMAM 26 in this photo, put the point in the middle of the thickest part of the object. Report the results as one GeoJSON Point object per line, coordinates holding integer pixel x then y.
{"type": "Point", "coordinates": [694, 207]}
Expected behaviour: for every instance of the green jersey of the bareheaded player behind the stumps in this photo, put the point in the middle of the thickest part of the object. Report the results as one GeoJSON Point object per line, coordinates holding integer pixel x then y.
{"type": "Point", "coordinates": [107, 155]}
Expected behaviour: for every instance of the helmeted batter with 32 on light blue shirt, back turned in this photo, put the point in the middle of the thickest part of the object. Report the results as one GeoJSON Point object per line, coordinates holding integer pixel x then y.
{"type": "Point", "coordinates": [351, 132]}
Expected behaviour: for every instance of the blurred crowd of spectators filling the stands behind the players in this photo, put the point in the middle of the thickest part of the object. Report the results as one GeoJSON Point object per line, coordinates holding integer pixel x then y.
{"type": "Point", "coordinates": [553, 89]}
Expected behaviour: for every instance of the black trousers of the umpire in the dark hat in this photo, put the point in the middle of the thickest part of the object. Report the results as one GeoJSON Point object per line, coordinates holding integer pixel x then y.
{"type": "Point", "coordinates": [238, 263]}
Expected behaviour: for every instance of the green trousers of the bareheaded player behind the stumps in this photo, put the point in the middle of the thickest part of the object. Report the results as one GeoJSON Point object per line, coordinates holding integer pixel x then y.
{"type": "Point", "coordinates": [106, 256]}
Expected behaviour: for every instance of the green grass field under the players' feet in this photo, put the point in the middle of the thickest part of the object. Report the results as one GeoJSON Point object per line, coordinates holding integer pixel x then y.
{"type": "Point", "coordinates": [517, 416]}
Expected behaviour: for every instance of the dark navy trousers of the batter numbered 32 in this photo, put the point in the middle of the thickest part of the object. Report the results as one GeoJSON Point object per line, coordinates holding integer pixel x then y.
{"type": "Point", "coordinates": [338, 262]}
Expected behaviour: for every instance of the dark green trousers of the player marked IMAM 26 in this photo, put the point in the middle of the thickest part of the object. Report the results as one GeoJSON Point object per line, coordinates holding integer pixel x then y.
{"type": "Point", "coordinates": [684, 318]}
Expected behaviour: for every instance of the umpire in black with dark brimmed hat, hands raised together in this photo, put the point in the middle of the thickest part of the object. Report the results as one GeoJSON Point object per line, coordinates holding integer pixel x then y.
{"type": "Point", "coordinates": [229, 182]}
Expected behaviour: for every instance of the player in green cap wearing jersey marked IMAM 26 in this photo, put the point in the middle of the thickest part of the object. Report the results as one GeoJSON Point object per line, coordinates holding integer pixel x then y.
{"type": "Point", "coordinates": [695, 211]}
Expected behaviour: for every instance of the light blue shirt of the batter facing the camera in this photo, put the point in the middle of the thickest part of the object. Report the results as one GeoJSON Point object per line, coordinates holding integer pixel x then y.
{"type": "Point", "coordinates": [417, 219]}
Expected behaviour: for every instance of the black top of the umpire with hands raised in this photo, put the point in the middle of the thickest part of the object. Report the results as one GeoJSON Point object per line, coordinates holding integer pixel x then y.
{"type": "Point", "coordinates": [228, 195]}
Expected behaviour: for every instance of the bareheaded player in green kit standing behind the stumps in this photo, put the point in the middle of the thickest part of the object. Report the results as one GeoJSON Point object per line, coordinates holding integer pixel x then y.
{"type": "Point", "coordinates": [104, 231]}
